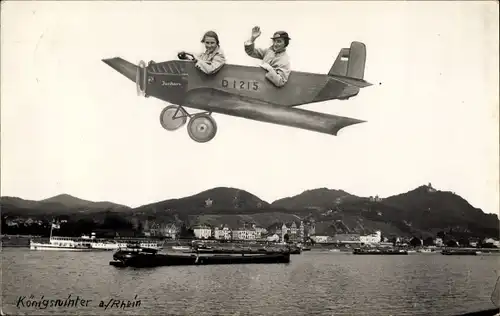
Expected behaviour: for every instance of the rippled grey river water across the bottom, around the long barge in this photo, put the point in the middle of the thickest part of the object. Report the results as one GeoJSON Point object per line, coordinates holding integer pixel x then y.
{"type": "Point", "coordinates": [314, 283]}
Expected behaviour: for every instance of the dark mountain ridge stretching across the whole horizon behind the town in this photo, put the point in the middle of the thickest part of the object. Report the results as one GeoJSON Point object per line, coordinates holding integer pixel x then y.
{"type": "Point", "coordinates": [423, 210]}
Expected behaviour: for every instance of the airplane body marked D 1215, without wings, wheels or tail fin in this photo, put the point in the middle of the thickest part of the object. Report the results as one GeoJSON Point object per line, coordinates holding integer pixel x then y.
{"type": "Point", "coordinates": [179, 82]}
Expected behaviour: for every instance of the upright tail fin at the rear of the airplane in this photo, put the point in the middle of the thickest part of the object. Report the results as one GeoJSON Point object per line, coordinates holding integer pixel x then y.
{"type": "Point", "coordinates": [350, 65]}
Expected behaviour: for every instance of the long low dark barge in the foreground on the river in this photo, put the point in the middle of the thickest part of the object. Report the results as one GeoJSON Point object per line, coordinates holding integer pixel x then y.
{"type": "Point", "coordinates": [146, 258]}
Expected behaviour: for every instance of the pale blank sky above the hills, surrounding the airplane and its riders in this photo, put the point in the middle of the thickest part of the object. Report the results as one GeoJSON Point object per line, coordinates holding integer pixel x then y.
{"type": "Point", "coordinates": [71, 124]}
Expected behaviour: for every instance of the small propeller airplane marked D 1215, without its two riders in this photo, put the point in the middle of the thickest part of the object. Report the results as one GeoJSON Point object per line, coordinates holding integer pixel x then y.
{"type": "Point", "coordinates": [243, 91]}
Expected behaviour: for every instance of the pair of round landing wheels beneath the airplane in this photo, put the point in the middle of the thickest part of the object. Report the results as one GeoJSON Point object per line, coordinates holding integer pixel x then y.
{"type": "Point", "coordinates": [201, 127]}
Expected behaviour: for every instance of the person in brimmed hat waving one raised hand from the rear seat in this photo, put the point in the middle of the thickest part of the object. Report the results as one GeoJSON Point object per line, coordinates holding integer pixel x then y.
{"type": "Point", "coordinates": [275, 58]}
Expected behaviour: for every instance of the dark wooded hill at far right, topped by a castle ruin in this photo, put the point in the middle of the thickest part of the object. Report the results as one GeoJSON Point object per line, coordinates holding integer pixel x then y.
{"type": "Point", "coordinates": [423, 211]}
